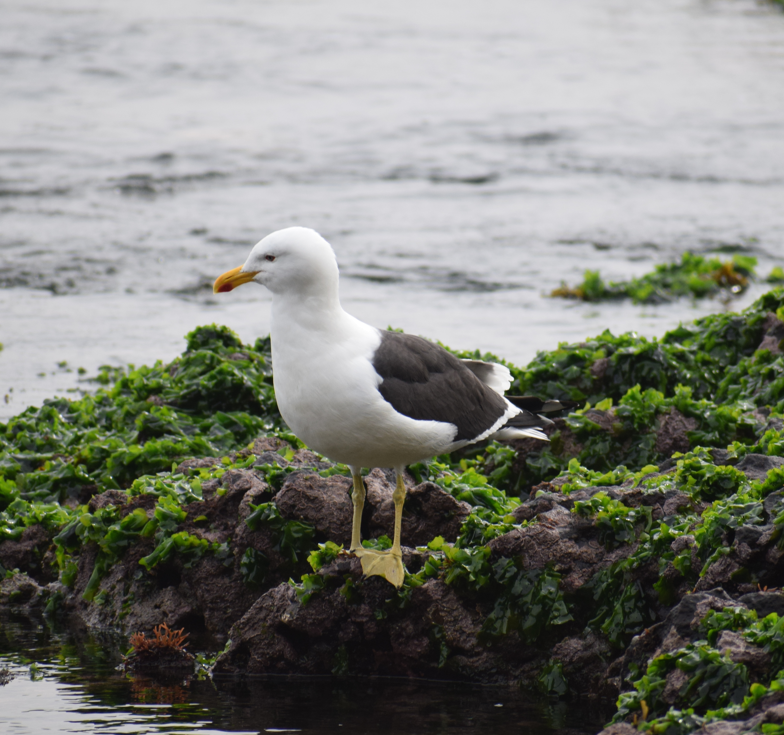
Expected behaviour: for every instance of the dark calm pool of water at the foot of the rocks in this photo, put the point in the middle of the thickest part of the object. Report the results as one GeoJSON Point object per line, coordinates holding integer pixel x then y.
{"type": "Point", "coordinates": [63, 684]}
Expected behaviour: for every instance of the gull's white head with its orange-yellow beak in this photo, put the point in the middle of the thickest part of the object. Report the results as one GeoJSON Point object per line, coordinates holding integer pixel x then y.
{"type": "Point", "coordinates": [294, 260]}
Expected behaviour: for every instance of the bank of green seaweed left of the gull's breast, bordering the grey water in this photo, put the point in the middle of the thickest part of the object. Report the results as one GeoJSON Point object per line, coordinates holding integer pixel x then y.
{"type": "Point", "coordinates": [215, 398]}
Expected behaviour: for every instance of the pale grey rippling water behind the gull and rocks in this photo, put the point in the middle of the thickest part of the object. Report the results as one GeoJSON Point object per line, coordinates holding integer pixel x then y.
{"type": "Point", "coordinates": [463, 158]}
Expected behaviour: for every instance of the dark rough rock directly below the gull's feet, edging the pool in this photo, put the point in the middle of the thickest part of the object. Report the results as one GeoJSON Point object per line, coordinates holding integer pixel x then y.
{"type": "Point", "coordinates": [361, 633]}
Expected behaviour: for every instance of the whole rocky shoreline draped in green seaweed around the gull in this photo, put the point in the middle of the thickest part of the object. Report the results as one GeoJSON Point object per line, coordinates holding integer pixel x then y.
{"type": "Point", "coordinates": [634, 564]}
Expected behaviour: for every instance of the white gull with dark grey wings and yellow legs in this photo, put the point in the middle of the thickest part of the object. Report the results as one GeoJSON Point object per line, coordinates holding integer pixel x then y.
{"type": "Point", "coordinates": [367, 397]}
